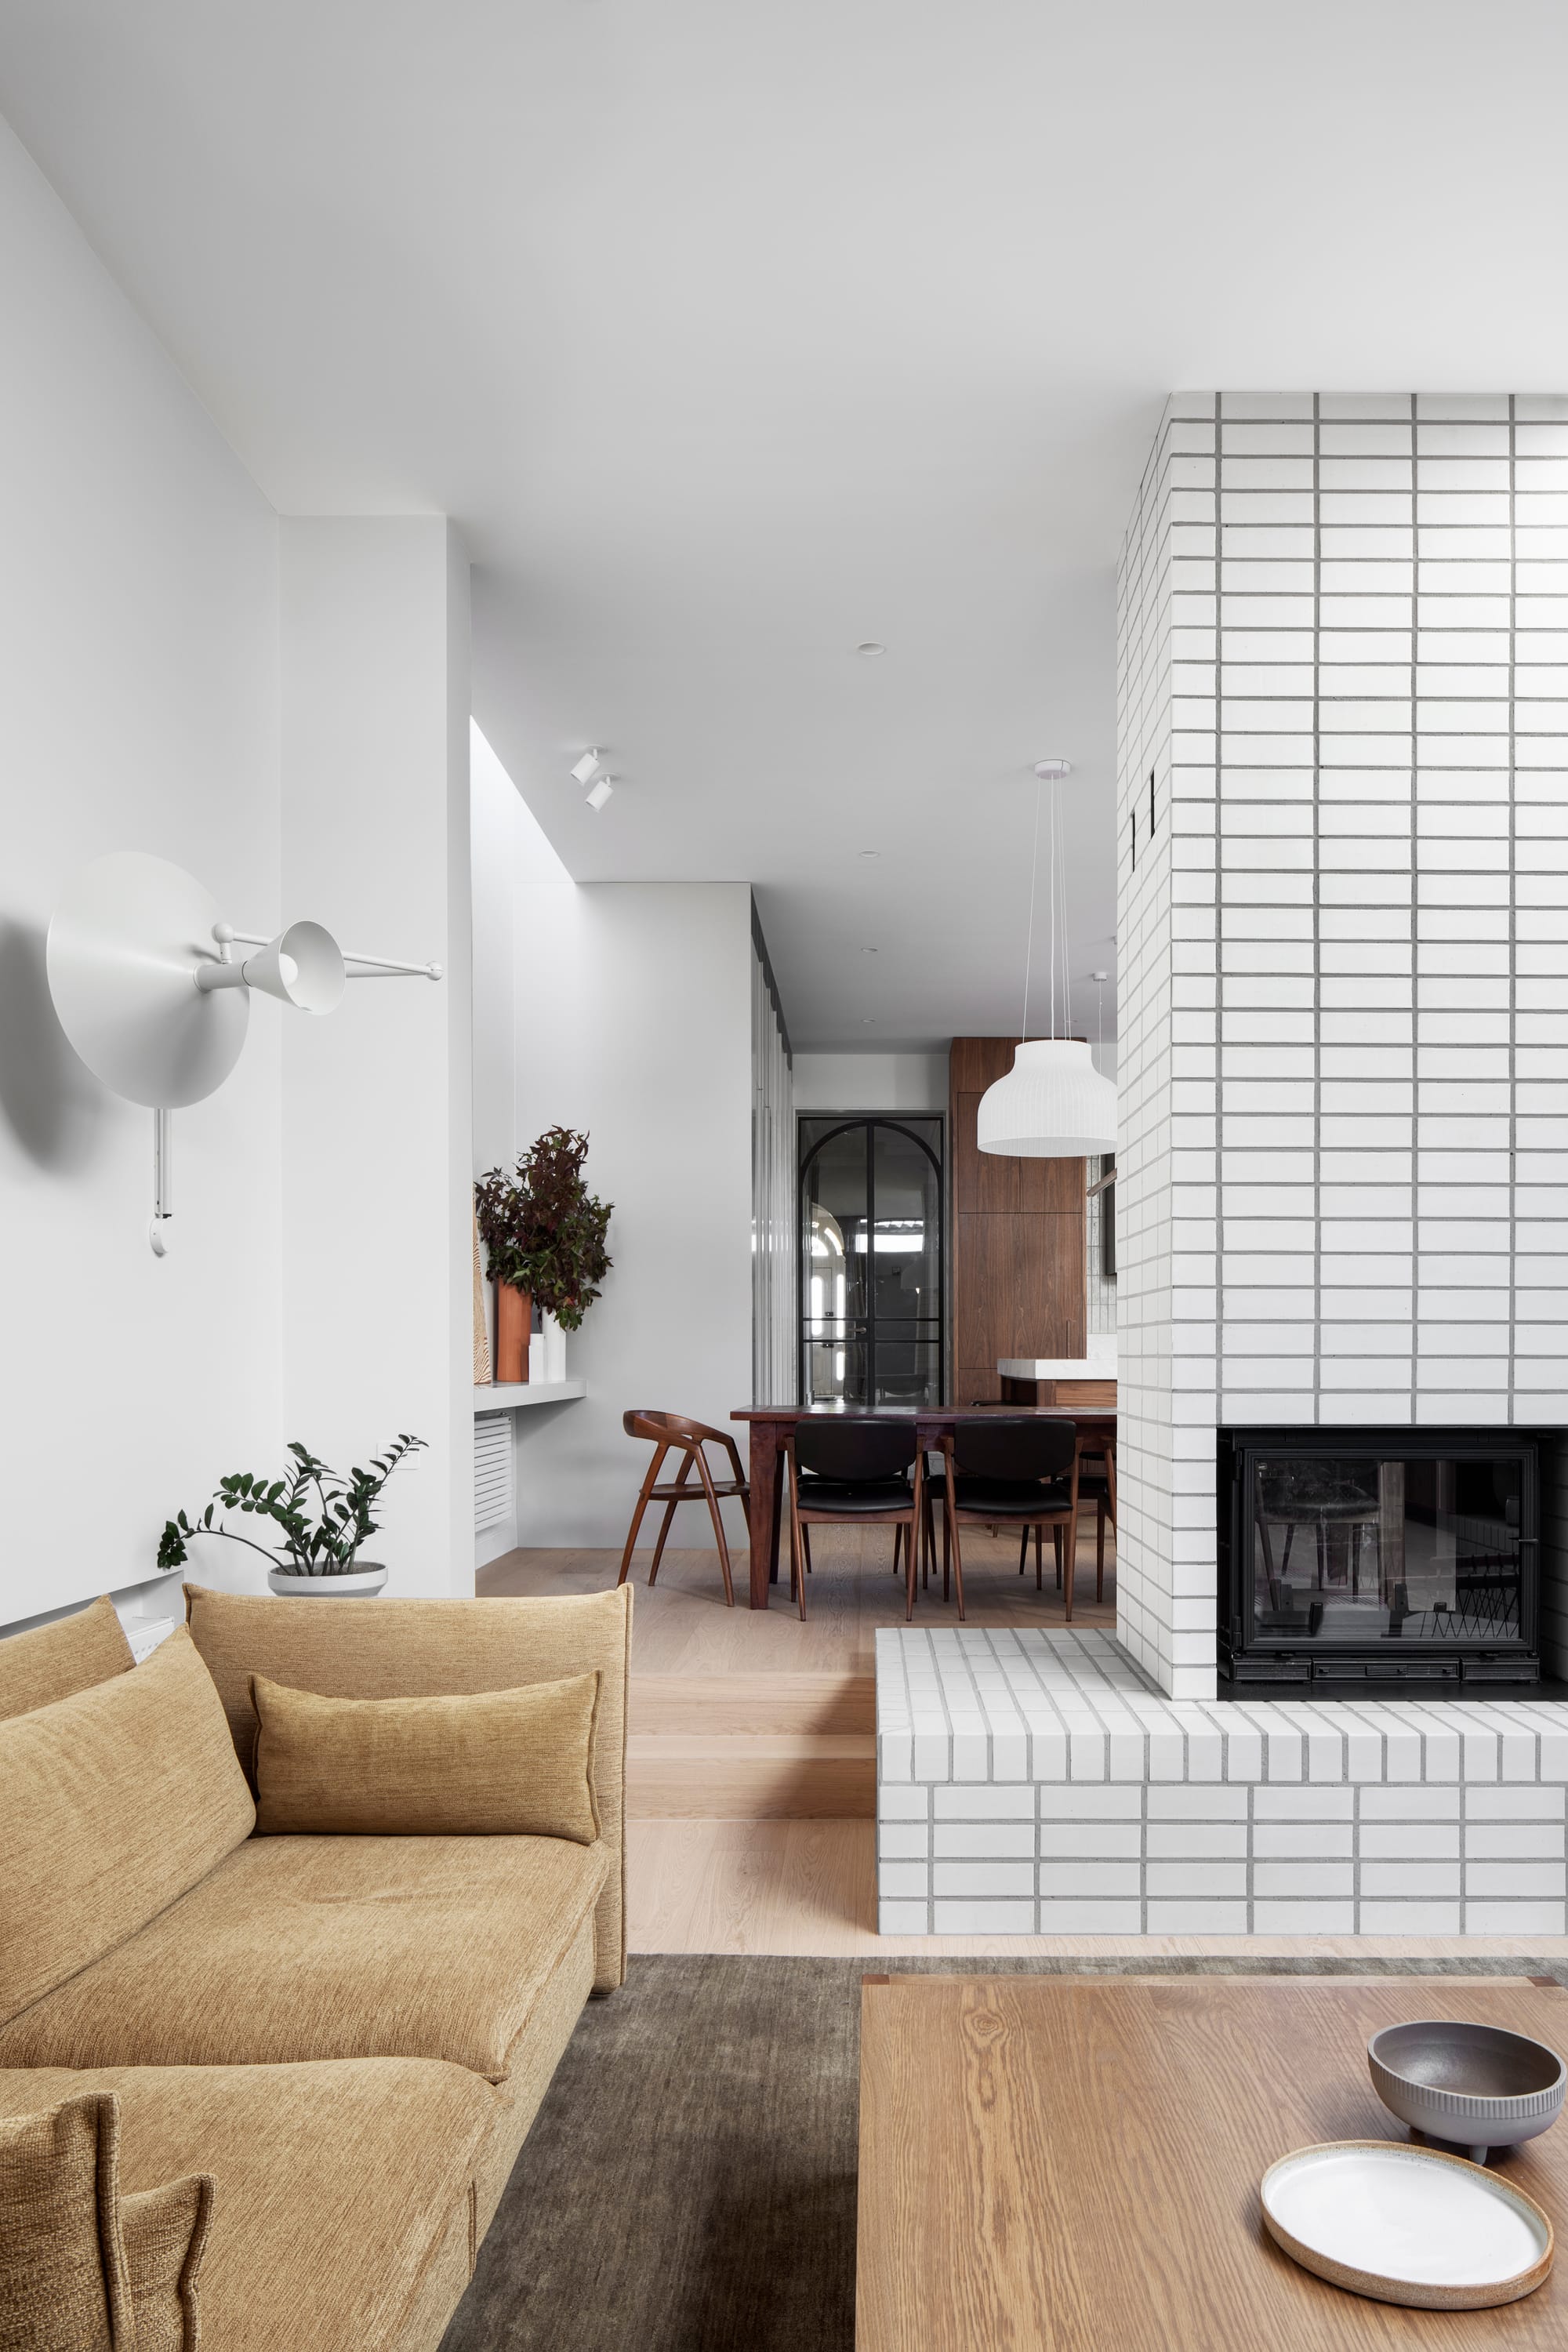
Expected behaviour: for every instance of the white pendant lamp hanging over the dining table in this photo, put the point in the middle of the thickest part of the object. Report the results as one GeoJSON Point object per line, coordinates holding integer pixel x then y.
{"type": "Point", "coordinates": [1052, 1104]}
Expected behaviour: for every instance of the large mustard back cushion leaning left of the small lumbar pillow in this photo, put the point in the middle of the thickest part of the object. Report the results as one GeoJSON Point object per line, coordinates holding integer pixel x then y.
{"type": "Point", "coordinates": [112, 1805]}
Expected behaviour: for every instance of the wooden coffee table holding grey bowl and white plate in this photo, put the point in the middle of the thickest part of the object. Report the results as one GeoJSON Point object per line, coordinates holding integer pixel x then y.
{"type": "Point", "coordinates": [1071, 2165]}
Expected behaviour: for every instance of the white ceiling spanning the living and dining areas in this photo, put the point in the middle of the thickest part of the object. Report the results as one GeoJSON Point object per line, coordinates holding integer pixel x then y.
{"type": "Point", "coordinates": [737, 333]}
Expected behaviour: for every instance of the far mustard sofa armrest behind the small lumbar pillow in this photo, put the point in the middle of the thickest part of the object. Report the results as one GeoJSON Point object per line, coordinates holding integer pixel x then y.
{"type": "Point", "coordinates": [436, 1650]}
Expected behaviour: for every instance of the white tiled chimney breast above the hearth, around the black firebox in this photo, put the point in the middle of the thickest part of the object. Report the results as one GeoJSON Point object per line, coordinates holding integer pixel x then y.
{"type": "Point", "coordinates": [1343, 940]}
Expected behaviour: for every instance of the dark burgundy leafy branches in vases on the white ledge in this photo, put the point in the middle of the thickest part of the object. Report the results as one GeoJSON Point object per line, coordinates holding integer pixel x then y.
{"type": "Point", "coordinates": [544, 1234]}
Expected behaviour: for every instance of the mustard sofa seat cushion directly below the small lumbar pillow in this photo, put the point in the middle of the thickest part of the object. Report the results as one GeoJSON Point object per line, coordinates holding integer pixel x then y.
{"type": "Point", "coordinates": [330, 1949]}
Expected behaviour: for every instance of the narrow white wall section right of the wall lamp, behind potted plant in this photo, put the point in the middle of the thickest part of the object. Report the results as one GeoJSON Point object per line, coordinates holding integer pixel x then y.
{"type": "Point", "coordinates": [377, 1100]}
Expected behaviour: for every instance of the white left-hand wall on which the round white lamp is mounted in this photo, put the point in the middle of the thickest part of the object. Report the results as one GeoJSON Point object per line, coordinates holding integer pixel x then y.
{"type": "Point", "coordinates": [140, 711]}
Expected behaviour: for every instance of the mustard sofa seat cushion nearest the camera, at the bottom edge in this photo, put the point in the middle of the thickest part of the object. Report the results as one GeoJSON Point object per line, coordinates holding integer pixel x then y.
{"type": "Point", "coordinates": [337, 2186]}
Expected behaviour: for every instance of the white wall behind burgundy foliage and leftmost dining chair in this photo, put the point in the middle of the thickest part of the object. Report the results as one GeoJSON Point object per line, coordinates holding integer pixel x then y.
{"type": "Point", "coordinates": [631, 1020]}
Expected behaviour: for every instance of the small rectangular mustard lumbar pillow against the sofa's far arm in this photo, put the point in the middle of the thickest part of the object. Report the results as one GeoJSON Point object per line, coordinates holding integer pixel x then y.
{"type": "Point", "coordinates": [490, 1765]}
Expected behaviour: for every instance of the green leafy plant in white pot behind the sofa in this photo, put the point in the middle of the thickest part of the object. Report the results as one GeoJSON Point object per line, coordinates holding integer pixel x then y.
{"type": "Point", "coordinates": [323, 1521]}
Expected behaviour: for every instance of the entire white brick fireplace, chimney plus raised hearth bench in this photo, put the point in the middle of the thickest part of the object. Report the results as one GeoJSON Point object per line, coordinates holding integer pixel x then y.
{"type": "Point", "coordinates": [1343, 1182]}
